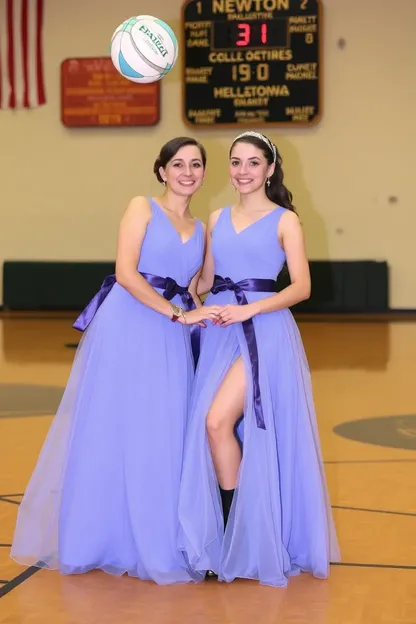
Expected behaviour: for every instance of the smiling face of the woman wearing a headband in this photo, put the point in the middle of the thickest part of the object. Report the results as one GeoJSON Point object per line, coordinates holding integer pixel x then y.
{"type": "Point", "coordinates": [249, 168]}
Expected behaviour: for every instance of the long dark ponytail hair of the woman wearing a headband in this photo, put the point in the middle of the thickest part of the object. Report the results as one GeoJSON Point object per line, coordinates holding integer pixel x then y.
{"type": "Point", "coordinates": [277, 191]}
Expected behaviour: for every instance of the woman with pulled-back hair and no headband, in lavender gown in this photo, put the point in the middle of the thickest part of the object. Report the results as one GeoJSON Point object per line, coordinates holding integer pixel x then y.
{"type": "Point", "coordinates": [104, 493]}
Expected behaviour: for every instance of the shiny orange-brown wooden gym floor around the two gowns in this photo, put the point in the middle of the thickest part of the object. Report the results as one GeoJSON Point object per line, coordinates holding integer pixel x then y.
{"type": "Point", "coordinates": [364, 377]}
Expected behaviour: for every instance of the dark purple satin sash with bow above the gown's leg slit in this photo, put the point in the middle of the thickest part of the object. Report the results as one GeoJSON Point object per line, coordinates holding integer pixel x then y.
{"type": "Point", "coordinates": [222, 284]}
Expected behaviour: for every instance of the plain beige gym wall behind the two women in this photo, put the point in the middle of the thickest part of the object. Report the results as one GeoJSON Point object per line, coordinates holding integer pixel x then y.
{"type": "Point", "coordinates": [62, 191]}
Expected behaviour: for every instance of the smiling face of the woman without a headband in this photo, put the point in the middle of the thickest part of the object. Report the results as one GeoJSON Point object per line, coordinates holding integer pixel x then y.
{"type": "Point", "coordinates": [185, 171]}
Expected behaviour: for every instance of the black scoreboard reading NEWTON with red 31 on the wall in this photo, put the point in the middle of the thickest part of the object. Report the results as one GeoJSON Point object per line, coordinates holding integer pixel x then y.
{"type": "Point", "coordinates": [251, 62]}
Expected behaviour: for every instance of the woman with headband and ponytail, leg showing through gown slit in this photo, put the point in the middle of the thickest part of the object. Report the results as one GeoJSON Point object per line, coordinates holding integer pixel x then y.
{"type": "Point", "coordinates": [253, 501]}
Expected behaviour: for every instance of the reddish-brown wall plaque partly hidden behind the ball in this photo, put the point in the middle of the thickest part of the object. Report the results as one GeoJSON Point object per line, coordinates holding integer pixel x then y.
{"type": "Point", "coordinates": [93, 93]}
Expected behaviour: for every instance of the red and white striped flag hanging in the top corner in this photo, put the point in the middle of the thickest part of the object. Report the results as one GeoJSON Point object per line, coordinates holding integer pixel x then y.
{"type": "Point", "coordinates": [21, 54]}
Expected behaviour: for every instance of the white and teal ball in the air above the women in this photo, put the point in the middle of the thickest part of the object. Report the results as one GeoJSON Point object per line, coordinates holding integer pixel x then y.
{"type": "Point", "coordinates": [144, 49]}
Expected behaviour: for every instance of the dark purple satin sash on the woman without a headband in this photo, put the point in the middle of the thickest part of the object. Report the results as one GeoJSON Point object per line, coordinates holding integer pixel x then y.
{"type": "Point", "coordinates": [170, 289]}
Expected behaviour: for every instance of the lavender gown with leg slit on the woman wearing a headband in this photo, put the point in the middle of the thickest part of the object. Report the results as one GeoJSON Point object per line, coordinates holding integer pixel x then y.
{"type": "Point", "coordinates": [280, 522]}
